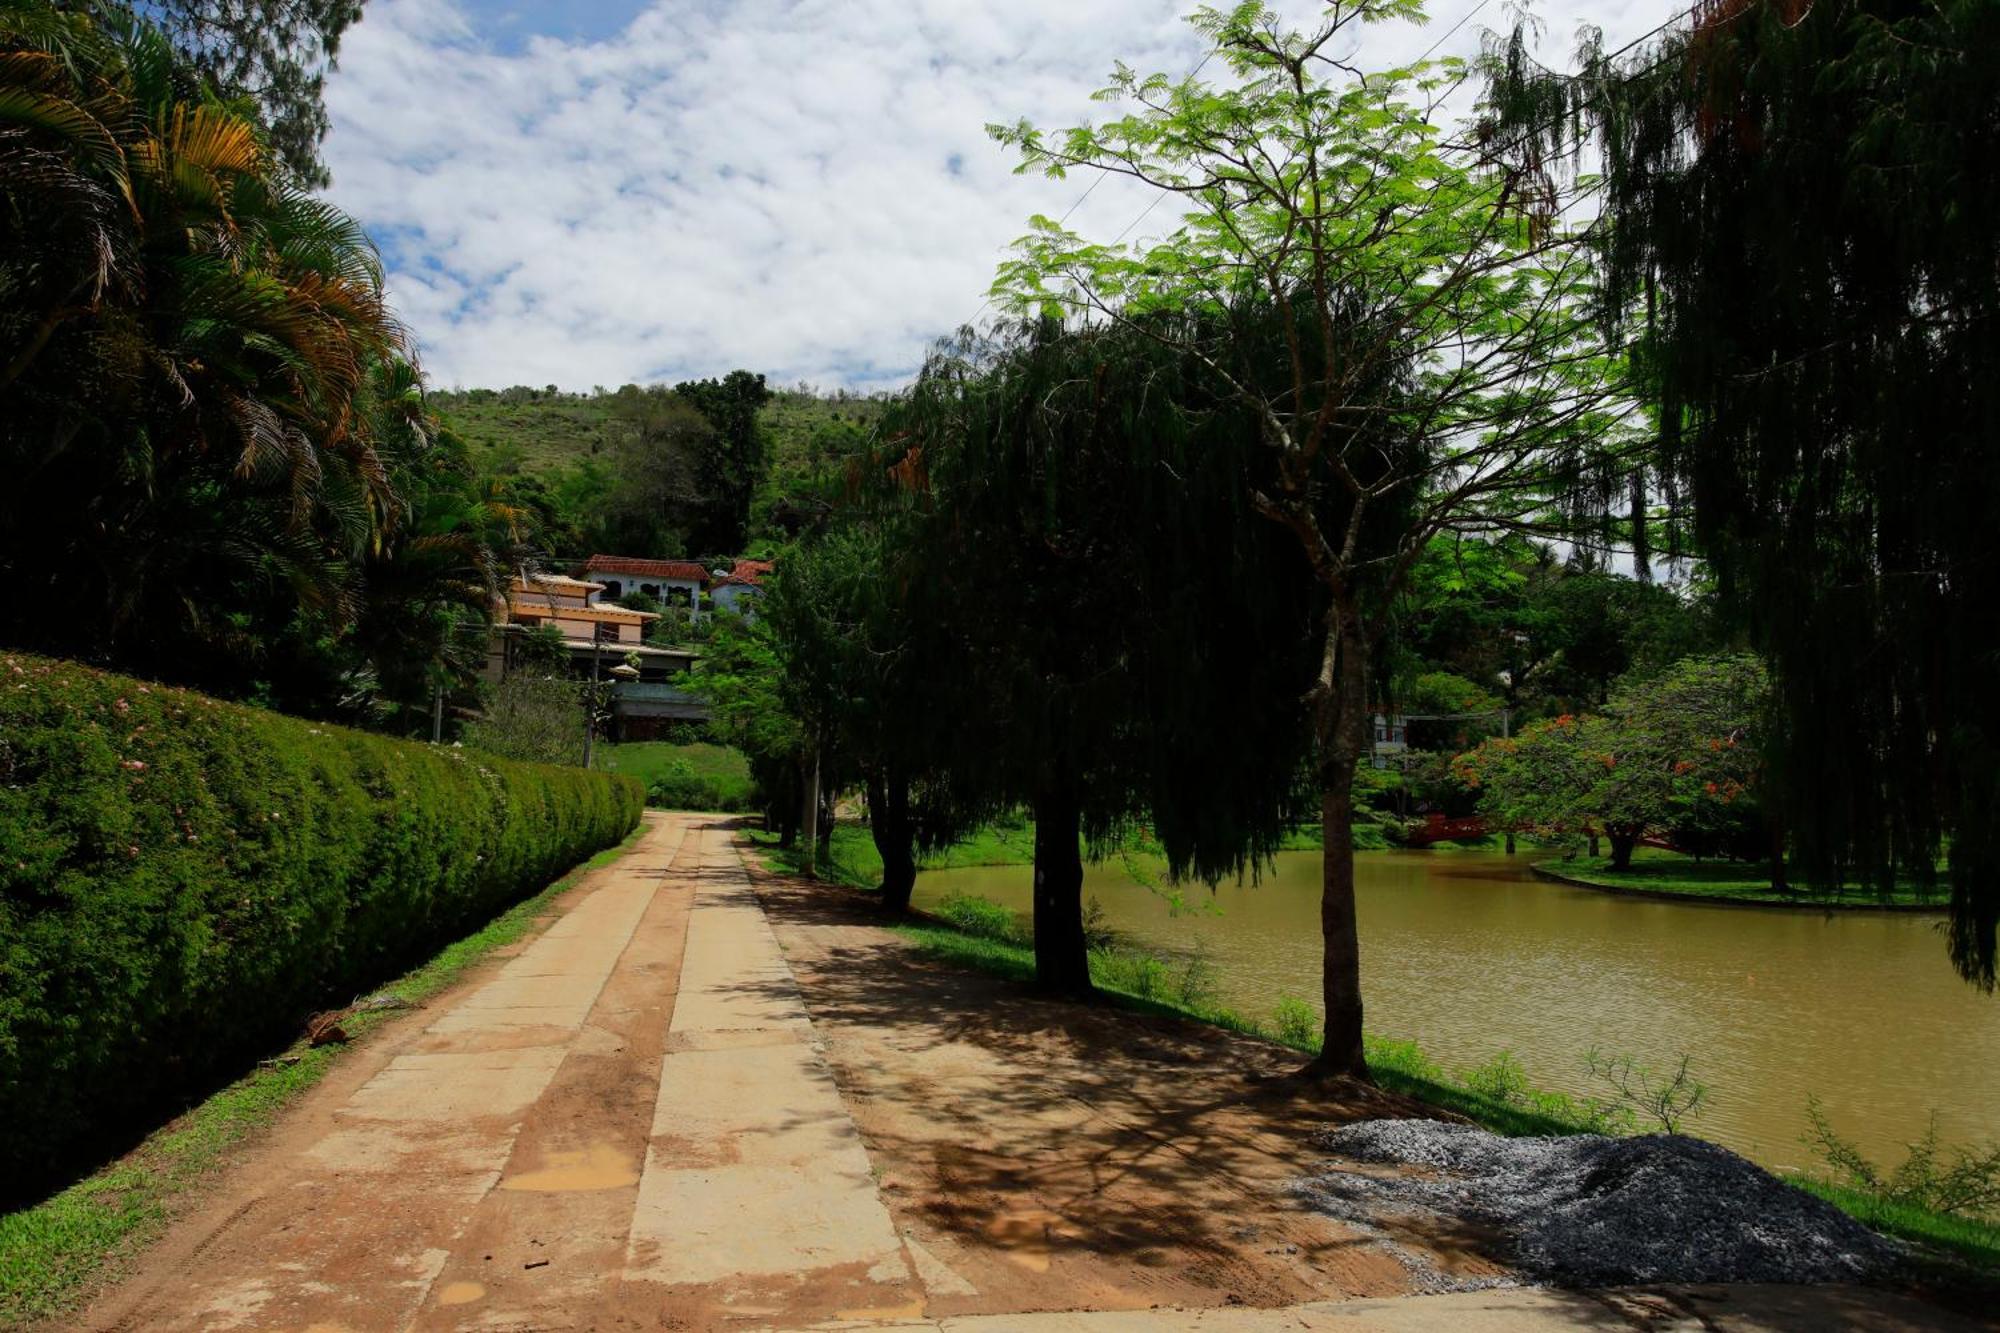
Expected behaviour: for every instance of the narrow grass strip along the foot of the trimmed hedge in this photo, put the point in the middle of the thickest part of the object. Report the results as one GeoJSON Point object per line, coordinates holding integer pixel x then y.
{"type": "Point", "coordinates": [55, 1250]}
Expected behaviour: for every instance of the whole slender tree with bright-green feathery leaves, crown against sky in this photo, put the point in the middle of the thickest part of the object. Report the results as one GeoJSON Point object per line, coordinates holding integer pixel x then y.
{"type": "Point", "coordinates": [1439, 367]}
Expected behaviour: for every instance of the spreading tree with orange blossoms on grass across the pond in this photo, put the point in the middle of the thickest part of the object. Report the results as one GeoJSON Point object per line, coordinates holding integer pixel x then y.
{"type": "Point", "coordinates": [1679, 758]}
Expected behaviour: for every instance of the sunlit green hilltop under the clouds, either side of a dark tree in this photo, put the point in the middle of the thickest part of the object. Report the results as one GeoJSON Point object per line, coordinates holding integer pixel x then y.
{"type": "Point", "coordinates": [543, 431]}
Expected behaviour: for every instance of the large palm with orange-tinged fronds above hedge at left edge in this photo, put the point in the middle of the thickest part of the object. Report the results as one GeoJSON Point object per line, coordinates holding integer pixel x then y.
{"type": "Point", "coordinates": [183, 341]}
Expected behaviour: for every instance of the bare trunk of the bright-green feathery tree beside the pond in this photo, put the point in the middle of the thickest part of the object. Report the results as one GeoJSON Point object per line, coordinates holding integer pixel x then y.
{"type": "Point", "coordinates": [1341, 724]}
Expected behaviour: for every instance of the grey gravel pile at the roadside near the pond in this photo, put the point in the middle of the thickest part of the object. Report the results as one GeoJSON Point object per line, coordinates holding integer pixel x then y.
{"type": "Point", "coordinates": [1593, 1210]}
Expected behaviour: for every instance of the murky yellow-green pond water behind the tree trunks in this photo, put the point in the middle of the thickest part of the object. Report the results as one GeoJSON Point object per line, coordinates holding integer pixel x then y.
{"type": "Point", "coordinates": [1469, 956]}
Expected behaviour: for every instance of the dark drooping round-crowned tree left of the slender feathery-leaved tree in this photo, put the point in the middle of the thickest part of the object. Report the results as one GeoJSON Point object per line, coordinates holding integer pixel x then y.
{"type": "Point", "coordinates": [1129, 637]}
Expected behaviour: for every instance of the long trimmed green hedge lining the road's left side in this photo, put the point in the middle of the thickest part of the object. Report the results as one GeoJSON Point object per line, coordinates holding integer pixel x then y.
{"type": "Point", "coordinates": [183, 882]}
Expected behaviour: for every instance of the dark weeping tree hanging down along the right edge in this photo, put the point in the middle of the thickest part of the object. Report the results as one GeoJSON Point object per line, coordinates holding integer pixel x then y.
{"type": "Point", "coordinates": [1799, 205]}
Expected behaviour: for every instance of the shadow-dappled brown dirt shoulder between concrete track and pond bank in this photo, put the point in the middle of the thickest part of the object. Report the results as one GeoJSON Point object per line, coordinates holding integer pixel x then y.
{"type": "Point", "coordinates": [1081, 1158]}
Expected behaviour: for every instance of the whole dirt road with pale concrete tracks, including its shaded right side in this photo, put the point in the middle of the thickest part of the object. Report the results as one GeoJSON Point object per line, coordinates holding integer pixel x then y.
{"type": "Point", "coordinates": [713, 1100]}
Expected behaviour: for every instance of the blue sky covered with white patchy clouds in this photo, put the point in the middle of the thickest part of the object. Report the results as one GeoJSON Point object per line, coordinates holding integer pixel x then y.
{"type": "Point", "coordinates": [603, 191]}
